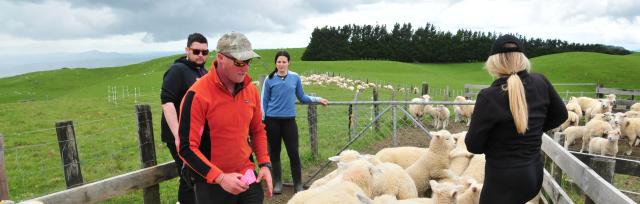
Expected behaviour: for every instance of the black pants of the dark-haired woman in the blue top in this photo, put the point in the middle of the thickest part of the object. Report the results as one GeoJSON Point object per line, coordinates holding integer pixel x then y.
{"type": "Point", "coordinates": [284, 129]}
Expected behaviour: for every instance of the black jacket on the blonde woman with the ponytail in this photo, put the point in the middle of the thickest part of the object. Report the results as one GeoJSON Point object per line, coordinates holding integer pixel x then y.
{"type": "Point", "coordinates": [493, 132]}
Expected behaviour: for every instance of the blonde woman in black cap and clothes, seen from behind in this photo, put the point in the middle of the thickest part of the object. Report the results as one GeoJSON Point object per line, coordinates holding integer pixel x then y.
{"type": "Point", "coordinates": [507, 124]}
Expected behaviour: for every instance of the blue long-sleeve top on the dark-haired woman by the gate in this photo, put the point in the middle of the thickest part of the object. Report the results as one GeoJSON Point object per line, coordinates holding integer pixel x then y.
{"type": "Point", "coordinates": [279, 95]}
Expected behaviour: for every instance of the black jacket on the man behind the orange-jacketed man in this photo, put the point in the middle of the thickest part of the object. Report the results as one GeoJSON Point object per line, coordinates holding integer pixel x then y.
{"type": "Point", "coordinates": [175, 83]}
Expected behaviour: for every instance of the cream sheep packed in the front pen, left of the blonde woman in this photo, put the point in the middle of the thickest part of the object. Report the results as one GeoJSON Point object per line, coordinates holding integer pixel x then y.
{"type": "Point", "coordinates": [446, 172]}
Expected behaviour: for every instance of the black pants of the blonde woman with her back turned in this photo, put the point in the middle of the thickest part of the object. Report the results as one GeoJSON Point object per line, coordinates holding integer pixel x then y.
{"type": "Point", "coordinates": [512, 185]}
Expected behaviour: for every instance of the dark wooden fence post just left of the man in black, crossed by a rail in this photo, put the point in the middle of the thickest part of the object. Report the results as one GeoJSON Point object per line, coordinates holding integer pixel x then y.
{"type": "Point", "coordinates": [151, 194]}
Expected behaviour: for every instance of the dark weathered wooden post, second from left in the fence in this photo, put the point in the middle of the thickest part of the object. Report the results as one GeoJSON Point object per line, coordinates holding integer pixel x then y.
{"type": "Point", "coordinates": [69, 153]}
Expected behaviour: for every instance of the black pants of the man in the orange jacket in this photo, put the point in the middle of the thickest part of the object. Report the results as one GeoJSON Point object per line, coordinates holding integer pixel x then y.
{"type": "Point", "coordinates": [214, 193]}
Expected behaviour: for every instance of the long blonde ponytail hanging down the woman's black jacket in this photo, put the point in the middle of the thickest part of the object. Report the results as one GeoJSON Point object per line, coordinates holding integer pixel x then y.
{"type": "Point", "coordinates": [518, 103]}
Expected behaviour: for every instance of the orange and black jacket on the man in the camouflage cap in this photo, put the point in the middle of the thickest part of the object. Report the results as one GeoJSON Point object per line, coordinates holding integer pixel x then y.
{"type": "Point", "coordinates": [214, 125]}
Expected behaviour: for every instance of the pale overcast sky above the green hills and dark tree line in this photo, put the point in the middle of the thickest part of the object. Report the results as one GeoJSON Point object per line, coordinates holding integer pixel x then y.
{"type": "Point", "coordinates": [44, 26]}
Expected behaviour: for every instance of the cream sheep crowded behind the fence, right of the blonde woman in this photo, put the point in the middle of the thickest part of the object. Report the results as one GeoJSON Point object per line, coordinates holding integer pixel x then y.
{"type": "Point", "coordinates": [602, 128]}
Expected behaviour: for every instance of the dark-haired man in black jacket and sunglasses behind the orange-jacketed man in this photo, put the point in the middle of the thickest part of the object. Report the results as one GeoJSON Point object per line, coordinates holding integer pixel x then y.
{"type": "Point", "coordinates": [175, 83]}
